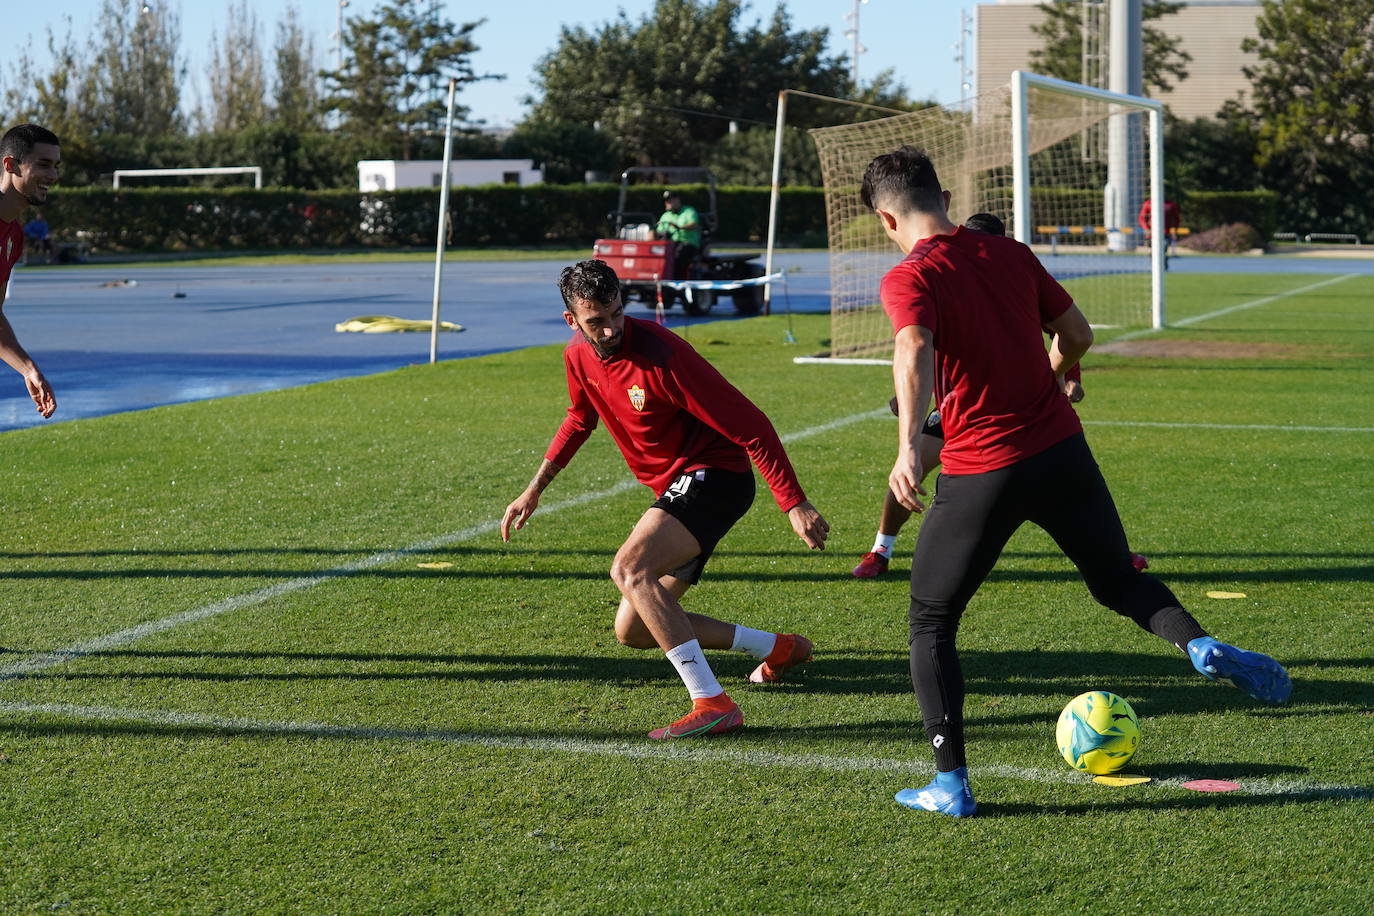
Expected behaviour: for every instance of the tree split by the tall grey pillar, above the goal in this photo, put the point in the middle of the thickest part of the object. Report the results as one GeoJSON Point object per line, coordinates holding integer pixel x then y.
{"type": "Point", "coordinates": [1164, 62]}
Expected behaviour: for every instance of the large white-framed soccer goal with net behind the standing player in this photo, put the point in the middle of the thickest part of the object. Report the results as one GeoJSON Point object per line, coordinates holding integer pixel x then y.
{"type": "Point", "coordinates": [1066, 167]}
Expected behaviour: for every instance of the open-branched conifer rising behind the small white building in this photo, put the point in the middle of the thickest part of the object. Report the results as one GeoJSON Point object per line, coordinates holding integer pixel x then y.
{"type": "Point", "coordinates": [396, 76]}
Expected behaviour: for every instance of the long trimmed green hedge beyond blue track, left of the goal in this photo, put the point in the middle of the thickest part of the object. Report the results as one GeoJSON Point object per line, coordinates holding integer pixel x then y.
{"type": "Point", "coordinates": [501, 215]}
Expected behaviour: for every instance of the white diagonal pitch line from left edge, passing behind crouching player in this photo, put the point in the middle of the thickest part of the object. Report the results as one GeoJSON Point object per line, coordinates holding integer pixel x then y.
{"type": "Point", "coordinates": [43, 661]}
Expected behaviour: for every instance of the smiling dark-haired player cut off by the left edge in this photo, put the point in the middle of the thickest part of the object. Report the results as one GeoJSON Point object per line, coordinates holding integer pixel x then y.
{"type": "Point", "coordinates": [30, 157]}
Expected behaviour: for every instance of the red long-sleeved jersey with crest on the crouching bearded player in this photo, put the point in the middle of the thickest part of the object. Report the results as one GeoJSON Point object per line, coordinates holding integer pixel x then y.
{"type": "Point", "coordinates": [670, 411]}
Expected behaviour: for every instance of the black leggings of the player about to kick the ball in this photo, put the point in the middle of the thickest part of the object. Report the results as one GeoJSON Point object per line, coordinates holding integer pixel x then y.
{"type": "Point", "coordinates": [972, 520]}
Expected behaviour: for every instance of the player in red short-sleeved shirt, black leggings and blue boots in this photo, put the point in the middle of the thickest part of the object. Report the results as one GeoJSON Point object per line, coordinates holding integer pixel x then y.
{"type": "Point", "coordinates": [968, 312]}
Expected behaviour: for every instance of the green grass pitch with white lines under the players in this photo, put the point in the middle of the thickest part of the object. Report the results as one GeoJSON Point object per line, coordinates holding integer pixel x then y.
{"type": "Point", "coordinates": [232, 686]}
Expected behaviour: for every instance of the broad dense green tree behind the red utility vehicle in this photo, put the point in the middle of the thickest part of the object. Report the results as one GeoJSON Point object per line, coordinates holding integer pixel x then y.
{"type": "Point", "coordinates": [668, 86]}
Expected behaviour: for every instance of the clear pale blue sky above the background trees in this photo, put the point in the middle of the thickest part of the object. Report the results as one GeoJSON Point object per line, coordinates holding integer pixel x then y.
{"type": "Point", "coordinates": [914, 38]}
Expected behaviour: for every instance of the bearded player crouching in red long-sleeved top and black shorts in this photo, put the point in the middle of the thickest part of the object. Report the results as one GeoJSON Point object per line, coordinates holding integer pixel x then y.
{"type": "Point", "coordinates": [689, 436]}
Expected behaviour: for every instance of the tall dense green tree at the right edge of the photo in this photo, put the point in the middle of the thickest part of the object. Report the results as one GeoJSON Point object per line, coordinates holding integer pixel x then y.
{"type": "Point", "coordinates": [1313, 116]}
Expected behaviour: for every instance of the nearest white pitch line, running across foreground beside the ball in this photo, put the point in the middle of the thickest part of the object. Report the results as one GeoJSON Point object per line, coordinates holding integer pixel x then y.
{"type": "Point", "coordinates": [696, 753]}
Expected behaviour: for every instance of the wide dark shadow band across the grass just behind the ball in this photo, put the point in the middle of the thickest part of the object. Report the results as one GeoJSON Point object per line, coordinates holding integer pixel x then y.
{"type": "Point", "coordinates": [1155, 685]}
